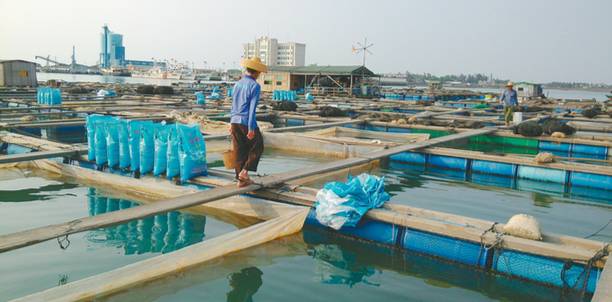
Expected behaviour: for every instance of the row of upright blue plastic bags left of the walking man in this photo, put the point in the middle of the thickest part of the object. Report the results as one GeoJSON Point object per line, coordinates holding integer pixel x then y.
{"type": "Point", "coordinates": [173, 150]}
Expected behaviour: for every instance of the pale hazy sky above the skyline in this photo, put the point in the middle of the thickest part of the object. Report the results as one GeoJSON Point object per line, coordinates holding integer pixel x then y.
{"type": "Point", "coordinates": [537, 40]}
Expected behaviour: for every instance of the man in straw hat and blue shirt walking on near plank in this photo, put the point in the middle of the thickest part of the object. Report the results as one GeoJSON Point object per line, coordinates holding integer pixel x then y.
{"type": "Point", "coordinates": [247, 142]}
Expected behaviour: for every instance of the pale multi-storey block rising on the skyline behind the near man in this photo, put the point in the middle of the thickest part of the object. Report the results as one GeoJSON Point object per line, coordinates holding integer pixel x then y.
{"type": "Point", "coordinates": [274, 53]}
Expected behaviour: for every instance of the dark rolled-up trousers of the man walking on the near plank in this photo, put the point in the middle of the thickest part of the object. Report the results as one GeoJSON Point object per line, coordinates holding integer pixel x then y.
{"type": "Point", "coordinates": [247, 151]}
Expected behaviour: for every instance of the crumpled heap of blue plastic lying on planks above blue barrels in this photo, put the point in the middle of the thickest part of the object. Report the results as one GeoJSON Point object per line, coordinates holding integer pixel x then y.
{"type": "Point", "coordinates": [343, 204]}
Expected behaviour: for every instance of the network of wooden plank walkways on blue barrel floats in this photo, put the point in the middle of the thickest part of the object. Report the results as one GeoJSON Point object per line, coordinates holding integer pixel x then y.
{"type": "Point", "coordinates": [358, 143]}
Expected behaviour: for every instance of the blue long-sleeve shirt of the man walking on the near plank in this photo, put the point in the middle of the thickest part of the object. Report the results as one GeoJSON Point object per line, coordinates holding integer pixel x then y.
{"type": "Point", "coordinates": [244, 102]}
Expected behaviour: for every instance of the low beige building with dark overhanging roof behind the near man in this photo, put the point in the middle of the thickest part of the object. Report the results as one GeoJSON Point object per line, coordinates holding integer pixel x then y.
{"type": "Point", "coordinates": [317, 79]}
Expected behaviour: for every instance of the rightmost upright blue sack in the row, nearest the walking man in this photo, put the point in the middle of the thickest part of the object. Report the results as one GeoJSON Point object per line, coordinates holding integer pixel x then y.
{"type": "Point", "coordinates": [192, 151]}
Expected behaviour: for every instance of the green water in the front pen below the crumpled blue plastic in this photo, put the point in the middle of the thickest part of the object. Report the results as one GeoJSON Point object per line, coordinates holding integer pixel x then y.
{"type": "Point", "coordinates": [317, 265]}
